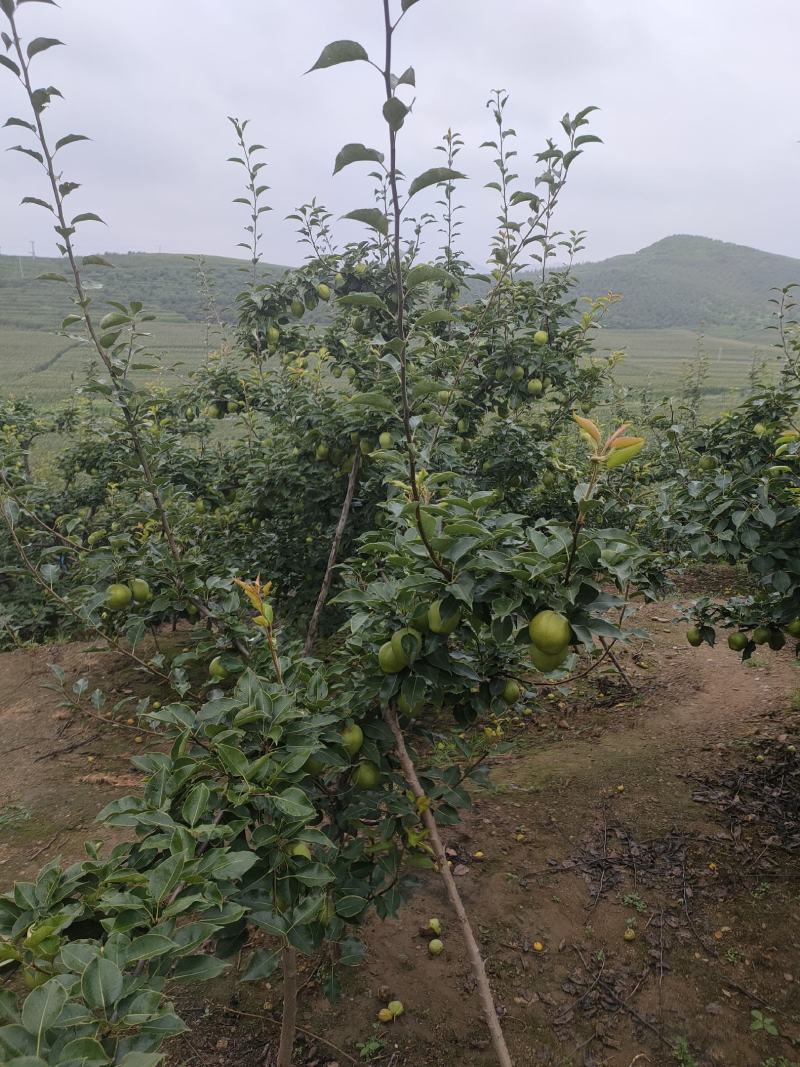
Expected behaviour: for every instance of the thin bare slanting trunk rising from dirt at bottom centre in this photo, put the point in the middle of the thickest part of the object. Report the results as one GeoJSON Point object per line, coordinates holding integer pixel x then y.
{"type": "Point", "coordinates": [479, 969]}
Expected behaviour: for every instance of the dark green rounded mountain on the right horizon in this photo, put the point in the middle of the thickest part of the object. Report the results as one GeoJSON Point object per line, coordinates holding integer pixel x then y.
{"type": "Point", "coordinates": [691, 283]}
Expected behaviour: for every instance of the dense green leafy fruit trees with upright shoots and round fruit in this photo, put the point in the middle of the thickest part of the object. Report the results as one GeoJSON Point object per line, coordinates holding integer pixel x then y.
{"type": "Point", "coordinates": [406, 454]}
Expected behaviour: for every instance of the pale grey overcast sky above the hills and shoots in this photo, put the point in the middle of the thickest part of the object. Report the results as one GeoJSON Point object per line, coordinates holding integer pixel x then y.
{"type": "Point", "coordinates": [700, 120]}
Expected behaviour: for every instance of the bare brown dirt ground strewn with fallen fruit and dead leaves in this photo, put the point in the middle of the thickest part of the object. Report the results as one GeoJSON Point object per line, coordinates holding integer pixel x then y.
{"type": "Point", "coordinates": [673, 813]}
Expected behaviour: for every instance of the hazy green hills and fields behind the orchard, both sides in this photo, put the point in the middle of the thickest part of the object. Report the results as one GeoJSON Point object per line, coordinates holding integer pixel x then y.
{"type": "Point", "coordinates": [671, 292]}
